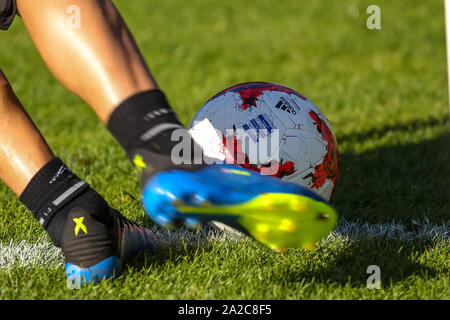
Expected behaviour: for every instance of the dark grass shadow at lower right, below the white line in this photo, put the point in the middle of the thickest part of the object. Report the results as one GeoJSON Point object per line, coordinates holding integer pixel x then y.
{"type": "Point", "coordinates": [397, 261]}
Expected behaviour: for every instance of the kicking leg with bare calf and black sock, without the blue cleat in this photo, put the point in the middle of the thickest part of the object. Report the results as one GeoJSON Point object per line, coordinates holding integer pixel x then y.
{"type": "Point", "coordinates": [101, 63]}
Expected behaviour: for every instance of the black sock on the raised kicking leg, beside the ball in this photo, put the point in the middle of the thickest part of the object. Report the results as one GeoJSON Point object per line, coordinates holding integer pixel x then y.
{"type": "Point", "coordinates": [143, 124]}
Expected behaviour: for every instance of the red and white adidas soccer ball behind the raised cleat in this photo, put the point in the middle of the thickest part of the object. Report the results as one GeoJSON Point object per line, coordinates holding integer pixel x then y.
{"type": "Point", "coordinates": [306, 149]}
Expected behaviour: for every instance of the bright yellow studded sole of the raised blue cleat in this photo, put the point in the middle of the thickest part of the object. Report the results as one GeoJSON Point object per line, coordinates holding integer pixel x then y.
{"type": "Point", "coordinates": [278, 220]}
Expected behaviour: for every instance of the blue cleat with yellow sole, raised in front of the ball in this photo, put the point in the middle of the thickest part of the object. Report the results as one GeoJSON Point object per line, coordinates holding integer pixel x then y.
{"type": "Point", "coordinates": [279, 214]}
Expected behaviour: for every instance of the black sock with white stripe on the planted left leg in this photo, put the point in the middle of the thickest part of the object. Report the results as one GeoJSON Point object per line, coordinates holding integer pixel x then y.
{"type": "Point", "coordinates": [53, 192]}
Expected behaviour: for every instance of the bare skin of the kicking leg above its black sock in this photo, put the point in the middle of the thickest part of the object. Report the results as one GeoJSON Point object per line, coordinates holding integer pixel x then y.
{"type": "Point", "coordinates": [99, 62]}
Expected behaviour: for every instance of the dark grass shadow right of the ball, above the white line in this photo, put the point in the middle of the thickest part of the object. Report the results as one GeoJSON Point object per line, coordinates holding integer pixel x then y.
{"type": "Point", "coordinates": [396, 182]}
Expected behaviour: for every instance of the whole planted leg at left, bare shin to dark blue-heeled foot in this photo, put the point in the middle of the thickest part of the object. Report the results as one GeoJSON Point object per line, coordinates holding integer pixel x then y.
{"type": "Point", "coordinates": [58, 199]}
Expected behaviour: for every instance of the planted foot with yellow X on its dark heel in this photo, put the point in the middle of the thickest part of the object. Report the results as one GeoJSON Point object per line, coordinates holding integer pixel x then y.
{"type": "Point", "coordinates": [96, 243]}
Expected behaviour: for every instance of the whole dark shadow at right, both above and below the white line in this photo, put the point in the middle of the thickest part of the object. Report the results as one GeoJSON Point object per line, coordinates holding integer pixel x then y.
{"type": "Point", "coordinates": [392, 183]}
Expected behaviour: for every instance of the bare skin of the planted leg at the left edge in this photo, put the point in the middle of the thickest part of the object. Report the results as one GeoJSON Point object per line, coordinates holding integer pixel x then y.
{"type": "Point", "coordinates": [23, 150]}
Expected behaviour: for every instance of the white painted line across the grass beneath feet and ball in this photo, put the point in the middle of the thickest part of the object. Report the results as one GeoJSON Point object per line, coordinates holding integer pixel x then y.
{"type": "Point", "coordinates": [43, 253]}
